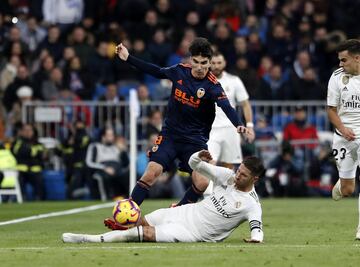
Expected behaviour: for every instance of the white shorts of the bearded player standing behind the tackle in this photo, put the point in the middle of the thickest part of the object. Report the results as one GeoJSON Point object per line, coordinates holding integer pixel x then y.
{"type": "Point", "coordinates": [224, 145]}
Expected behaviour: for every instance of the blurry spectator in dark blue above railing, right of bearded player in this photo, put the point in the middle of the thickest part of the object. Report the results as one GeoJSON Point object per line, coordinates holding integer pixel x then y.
{"type": "Point", "coordinates": [273, 86]}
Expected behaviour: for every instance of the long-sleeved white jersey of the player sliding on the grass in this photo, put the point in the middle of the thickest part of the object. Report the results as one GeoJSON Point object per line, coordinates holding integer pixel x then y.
{"type": "Point", "coordinates": [214, 218]}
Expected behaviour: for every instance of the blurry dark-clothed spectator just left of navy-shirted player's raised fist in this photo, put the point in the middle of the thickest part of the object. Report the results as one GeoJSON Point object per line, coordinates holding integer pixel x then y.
{"type": "Point", "coordinates": [100, 65]}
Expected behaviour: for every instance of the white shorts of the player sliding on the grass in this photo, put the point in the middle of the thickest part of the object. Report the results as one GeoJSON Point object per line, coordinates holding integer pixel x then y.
{"type": "Point", "coordinates": [170, 225]}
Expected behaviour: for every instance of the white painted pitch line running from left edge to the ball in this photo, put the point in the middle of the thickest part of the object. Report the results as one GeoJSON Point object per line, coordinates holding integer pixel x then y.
{"type": "Point", "coordinates": [58, 213]}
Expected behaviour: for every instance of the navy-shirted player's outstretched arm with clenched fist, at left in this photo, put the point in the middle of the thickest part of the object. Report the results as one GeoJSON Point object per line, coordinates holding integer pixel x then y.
{"type": "Point", "coordinates": [149, 68]}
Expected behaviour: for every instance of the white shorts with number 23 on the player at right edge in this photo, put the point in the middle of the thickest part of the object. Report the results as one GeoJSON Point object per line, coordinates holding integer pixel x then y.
{"type": "Point", "coordinates": [347, 156]}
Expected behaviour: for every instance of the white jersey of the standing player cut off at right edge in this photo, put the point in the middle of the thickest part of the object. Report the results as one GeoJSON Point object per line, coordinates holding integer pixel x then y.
{"type": "Point", "coordinates": [344, 93]}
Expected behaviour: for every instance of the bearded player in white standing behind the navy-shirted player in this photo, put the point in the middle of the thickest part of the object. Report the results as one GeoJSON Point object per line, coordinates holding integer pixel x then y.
{"type": "Point", "coordinates": [224, 141]}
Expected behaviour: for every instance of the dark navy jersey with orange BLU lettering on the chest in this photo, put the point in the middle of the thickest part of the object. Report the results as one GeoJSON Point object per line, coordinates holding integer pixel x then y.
{"type": "Point", "coordinates": [191, 106]}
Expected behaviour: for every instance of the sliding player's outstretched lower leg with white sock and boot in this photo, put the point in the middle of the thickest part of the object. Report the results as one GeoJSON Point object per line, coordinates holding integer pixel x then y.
{"type": "Point", "coordinates": [136, 234]}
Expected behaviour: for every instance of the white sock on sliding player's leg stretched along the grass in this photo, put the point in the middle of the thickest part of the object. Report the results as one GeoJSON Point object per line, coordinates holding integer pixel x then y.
{"type": "Point", "coordinates": [131, 235]}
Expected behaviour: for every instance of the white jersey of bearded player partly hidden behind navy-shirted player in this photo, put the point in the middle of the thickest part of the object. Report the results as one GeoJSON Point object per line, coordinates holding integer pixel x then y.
{"type": "Point", "coordinates": [235, 91]}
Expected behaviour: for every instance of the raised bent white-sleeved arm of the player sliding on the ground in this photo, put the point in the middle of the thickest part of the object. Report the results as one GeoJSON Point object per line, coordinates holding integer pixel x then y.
{"type": "Point", "coordinates": [218, 175]}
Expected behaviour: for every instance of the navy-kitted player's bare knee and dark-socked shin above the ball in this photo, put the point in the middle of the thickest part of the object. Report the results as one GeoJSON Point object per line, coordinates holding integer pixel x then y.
{"type": "Point", "coordinates": [141, 189]}
